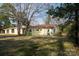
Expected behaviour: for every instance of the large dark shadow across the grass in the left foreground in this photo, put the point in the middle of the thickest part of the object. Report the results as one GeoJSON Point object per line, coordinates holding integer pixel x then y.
{"type": "Point", "coordinates": [13, 47]}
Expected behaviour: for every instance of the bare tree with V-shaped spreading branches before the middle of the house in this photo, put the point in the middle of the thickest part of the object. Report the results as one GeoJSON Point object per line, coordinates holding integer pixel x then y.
{"type": "Point", "coordinates": [29, 12]}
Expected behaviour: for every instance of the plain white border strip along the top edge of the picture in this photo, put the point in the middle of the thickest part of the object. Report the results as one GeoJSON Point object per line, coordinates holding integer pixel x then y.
{"type": "Point", "coordinates": [39, 1]}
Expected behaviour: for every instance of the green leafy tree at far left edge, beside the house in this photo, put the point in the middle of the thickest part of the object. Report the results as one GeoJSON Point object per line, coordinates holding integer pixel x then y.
{"type": "Point", "coordinates": [4, 15]}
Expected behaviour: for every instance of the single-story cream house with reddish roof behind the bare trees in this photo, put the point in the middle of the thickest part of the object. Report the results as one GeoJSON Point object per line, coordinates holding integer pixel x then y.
{"type": "Point", "coordinates": [44, 29]}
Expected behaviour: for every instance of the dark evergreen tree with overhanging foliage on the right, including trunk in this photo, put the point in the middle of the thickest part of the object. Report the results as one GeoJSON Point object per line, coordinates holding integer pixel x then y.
{"type": "Point", "coordinates": [69, 11]}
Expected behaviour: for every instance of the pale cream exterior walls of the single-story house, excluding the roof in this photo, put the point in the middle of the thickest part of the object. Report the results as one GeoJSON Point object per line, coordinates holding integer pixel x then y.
{"type": "Point", "coordinates": [42, 31]}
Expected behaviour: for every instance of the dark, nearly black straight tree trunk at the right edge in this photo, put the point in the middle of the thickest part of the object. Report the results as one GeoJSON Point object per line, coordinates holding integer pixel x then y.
{"type": "Point", "coordinates": [76, 27]}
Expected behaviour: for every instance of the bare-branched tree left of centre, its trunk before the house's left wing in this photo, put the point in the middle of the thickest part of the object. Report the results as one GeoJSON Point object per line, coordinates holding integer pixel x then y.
{"type": "Point", "coordinates": [10, 10]}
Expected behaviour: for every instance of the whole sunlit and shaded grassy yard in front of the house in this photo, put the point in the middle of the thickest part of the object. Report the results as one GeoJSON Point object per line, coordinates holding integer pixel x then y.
{"type": "Point", "coordinates": [37, 46]}
